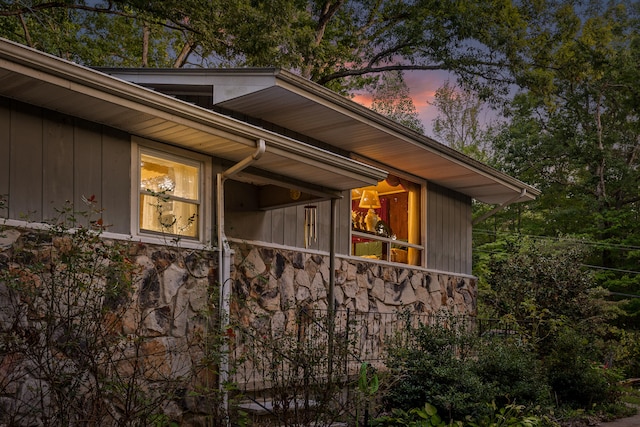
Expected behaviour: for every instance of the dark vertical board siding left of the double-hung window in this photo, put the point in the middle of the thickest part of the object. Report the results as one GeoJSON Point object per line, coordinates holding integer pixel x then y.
{"type": "Point", "coordinates": [47, 159]}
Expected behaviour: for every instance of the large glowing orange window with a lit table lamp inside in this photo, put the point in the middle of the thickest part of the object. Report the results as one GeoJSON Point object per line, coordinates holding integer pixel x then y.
{"type": "Point", "coordinates": [386, 220]}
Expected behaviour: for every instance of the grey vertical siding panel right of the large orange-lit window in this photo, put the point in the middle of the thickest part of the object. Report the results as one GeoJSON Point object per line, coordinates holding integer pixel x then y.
{"type": "Point", "coordinates": [448, 230]}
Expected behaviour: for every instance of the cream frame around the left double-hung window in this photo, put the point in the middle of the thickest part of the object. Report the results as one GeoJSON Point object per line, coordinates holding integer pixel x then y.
{"type": "Point", "coordinates": [141, 146]}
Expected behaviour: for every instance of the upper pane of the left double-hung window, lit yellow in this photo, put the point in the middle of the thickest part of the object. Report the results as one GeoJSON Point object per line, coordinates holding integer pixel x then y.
{"type": "Point", "coordinates": [169, 177]}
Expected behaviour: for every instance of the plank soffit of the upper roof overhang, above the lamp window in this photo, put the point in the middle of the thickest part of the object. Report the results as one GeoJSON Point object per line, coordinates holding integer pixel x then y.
{"type": "Point", "coordinates": [296, 104]}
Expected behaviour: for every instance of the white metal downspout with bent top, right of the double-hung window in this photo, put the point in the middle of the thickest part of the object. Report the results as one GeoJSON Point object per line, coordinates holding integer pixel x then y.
{"type": "Point", "coordinates": [224, 261]}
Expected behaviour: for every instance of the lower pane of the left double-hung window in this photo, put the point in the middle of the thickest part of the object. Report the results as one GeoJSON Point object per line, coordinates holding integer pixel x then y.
{"type": "Point", "coordinates": [168, 216]}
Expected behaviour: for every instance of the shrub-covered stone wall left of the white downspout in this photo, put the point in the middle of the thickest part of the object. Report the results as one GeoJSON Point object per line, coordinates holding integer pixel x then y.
{"type": "Point", "coordinates": [103, 359]}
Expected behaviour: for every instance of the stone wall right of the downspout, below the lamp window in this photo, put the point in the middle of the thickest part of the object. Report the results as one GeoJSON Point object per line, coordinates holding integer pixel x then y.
{"type": "Point", "coordinates": [276, 280]}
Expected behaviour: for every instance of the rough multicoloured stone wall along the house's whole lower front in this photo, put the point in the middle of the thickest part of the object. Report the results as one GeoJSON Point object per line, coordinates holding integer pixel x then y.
{"type": "Point", "coordinates": [154, 356]}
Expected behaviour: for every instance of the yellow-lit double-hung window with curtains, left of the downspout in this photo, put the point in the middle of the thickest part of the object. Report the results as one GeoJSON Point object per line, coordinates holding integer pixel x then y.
{"type": "Point", "coordinates": [170, 194]}
